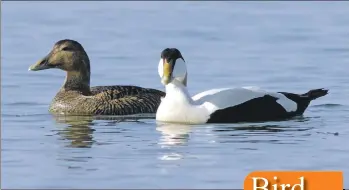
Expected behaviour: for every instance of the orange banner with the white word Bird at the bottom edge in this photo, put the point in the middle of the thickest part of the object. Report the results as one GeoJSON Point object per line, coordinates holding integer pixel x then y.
{"type": "Point", "coordinates": [294, 180]}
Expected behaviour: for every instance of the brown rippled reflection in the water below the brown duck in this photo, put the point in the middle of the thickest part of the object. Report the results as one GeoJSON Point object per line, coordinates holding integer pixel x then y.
{"type": "Point", "coordinates": [79, 130]}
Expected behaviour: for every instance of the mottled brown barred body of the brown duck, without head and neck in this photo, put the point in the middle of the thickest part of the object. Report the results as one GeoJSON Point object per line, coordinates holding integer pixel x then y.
{"type": "Point", "coordinates": [108, 100]}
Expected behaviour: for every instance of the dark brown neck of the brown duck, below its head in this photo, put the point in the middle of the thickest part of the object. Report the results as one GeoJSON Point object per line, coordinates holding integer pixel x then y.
{"type": "Point", "coordinates": [77, 81]}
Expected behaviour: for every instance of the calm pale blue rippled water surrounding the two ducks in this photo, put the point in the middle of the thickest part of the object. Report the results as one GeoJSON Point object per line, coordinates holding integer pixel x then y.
{"type": "Point", "coordinates": [281, 46]}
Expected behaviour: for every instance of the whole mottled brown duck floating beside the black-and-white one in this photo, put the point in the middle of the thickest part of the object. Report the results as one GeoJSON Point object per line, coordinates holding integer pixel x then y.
{"type": "Point", "coordinates": [76, 97]}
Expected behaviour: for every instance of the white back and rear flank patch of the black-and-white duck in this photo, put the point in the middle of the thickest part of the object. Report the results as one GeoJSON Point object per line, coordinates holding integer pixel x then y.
{"type": "Point", "coordinates": [222, 98]}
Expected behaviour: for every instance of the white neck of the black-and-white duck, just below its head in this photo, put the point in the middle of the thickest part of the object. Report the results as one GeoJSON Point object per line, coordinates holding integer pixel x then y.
{"type": "Point", "coordinates": [178, 91]}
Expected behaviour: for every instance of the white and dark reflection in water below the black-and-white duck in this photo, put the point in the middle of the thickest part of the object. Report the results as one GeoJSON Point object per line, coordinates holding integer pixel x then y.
{"type": "Point", "coordinates": [277, 132]}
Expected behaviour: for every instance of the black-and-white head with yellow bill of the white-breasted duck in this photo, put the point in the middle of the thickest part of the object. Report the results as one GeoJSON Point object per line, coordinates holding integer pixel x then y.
{"type": "Point", "coordinates": [172, 67]}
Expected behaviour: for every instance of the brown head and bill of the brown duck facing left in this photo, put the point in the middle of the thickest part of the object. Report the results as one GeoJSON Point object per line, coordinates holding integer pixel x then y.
{"type": "Point", "coordinates": [68, 55]}
